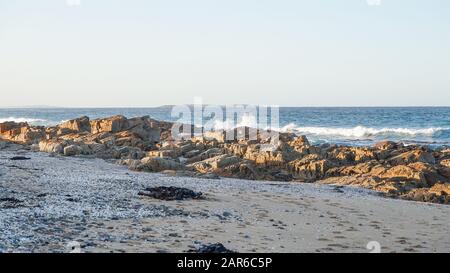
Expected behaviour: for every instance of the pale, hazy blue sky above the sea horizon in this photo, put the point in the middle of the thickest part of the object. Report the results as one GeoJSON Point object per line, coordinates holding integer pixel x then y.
{"type": "Point", "coordinates": [137, 53]}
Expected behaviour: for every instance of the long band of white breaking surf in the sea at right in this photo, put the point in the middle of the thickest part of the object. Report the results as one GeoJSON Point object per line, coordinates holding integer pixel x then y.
{"type": "Point", "coordinates": [361, 131]}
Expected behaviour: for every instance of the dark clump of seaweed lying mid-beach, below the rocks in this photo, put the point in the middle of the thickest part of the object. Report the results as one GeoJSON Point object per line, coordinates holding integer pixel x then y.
{"type": "Point", "coordinates": [170, 193]}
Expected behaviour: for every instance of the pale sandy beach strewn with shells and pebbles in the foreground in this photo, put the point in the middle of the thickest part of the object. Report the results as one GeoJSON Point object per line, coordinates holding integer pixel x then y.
{"type": "Point", "coordinates": [49, 201]}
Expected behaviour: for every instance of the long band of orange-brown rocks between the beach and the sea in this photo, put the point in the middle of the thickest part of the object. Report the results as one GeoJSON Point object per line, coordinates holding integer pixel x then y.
{"type": "Point", "coordinates": [143, 144]}
